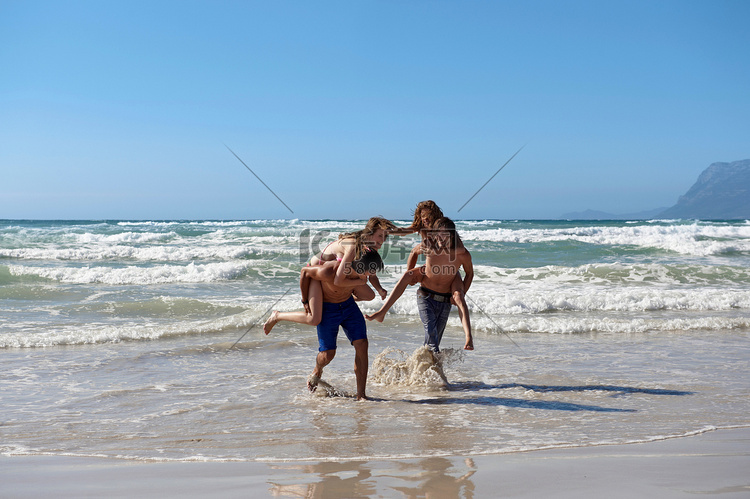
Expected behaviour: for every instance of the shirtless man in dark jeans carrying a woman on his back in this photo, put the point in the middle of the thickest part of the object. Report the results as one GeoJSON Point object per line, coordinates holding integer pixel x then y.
{"type": "Point", "coordinates": [445, 255]}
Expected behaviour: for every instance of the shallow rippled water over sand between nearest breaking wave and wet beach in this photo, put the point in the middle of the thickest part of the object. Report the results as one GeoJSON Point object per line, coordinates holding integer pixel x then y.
{"type": "Point", "coordinates": [182, 401]}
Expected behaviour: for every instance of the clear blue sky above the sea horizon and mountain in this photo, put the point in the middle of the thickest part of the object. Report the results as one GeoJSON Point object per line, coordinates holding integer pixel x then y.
{"type": "Point", "coordinates": [349, 109]}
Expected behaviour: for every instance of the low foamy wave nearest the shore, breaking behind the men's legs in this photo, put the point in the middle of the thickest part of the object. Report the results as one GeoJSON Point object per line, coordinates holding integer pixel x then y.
{"type": "Point", "coordinates": [160, 319]}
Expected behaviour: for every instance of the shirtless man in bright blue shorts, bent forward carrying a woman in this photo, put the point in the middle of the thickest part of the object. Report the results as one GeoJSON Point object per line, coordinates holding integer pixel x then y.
{"type": "Point", "coordinates": [339, 309]}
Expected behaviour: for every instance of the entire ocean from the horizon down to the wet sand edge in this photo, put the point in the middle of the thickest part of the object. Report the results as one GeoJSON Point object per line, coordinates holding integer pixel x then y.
{"type": "Point", "coordinates": [143, 340]}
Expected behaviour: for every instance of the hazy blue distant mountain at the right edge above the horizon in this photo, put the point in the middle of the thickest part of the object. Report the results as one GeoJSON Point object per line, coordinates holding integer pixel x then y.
{"type": "Point", "coordinates": [722, 192]}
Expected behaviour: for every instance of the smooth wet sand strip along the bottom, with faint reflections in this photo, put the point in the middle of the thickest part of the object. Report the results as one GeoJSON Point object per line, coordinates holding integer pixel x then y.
{"type": "Point", "coordinates": [715, 463]}
